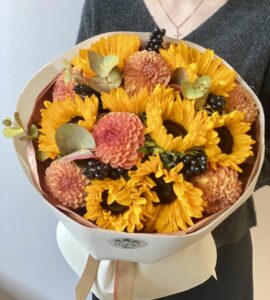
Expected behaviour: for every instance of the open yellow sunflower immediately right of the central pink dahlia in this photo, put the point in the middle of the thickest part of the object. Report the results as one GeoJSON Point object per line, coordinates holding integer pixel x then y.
{"type": "Point", "coordinates": [177, 126]}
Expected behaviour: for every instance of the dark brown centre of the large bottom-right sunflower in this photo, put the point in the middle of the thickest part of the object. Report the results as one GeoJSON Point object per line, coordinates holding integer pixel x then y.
{"type": "Point", "coordinates": [163, 190]}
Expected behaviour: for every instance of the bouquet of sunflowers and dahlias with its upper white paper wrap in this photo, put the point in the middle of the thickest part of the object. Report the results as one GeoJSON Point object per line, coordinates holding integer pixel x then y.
{"type": "Point", "coordinates": [135, 134]}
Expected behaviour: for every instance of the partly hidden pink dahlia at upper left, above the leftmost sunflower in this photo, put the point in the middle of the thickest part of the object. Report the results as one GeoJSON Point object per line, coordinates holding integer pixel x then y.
{"type": "Point", "coordinates": [61, 90]}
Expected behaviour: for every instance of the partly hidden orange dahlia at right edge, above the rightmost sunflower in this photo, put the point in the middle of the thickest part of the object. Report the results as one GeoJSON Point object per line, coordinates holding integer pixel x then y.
{"type": "Point", "coordinates": [240, 99]}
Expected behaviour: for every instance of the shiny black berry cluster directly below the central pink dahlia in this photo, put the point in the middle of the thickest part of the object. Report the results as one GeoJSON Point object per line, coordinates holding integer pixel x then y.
{"type": "Point", "coordinates": [96, 169]}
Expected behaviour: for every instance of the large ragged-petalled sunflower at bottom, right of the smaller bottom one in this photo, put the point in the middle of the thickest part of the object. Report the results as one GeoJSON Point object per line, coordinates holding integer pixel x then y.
{"type": "Point", "coordinates": [172, 202]}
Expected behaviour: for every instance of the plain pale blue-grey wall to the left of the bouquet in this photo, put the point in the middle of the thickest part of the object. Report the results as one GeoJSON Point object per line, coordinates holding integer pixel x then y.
{"type": "Point", "coordinates": [32, 32]}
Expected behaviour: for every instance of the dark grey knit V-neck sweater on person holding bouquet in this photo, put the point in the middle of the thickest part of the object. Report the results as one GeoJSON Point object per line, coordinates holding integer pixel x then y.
{"type": "Point", "coordinates": [239, 32]}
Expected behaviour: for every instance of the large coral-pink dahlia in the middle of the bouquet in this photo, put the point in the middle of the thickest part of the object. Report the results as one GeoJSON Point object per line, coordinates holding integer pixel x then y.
{"type": "Point", "coordinates": [118, 135]}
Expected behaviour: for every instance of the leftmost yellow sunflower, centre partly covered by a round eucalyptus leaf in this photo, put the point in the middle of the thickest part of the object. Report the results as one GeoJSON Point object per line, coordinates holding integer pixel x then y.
{"type": "Point", "coordinates": [58, 113]}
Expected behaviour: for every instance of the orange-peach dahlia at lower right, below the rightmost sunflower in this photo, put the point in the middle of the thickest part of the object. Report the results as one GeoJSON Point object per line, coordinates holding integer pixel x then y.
{"type": "Point", "coordinates": [221, 188]}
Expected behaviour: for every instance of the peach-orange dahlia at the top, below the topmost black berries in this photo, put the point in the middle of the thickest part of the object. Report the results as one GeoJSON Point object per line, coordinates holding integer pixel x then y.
{"type": "Point", "coordinates": [145, 69]}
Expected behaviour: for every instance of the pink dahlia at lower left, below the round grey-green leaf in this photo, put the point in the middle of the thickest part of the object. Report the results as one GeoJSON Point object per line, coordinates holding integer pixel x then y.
{"type": "Point", "coordinates": [66, 183]}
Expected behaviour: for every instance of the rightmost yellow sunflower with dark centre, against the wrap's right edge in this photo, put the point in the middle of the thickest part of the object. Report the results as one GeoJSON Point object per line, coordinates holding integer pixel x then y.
{"type": "Point", "coordinates": [234, 145]}
